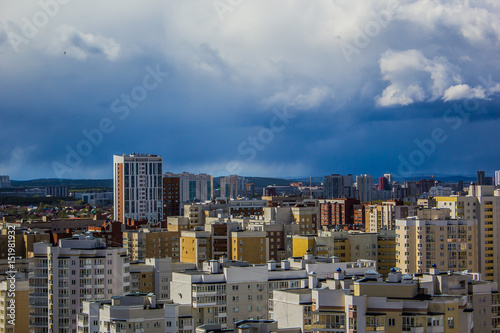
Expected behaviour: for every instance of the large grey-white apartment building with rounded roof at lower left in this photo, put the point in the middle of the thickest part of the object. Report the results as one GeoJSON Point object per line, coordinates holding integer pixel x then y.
{"type": "Point", "coordinates": [61, 277]}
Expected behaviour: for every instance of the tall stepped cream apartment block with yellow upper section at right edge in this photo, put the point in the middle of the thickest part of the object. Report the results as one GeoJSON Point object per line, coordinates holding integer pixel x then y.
{"type": "Point", "coordinates": [483, 204]}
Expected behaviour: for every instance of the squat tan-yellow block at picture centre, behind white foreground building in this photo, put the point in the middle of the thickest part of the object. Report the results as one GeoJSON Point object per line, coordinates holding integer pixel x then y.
{"type": "Point", "coordinates": [251, 246]}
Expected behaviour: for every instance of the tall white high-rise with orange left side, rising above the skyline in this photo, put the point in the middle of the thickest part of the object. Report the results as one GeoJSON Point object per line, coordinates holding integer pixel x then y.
{"type": "Point", "coordinates": [138, 187]}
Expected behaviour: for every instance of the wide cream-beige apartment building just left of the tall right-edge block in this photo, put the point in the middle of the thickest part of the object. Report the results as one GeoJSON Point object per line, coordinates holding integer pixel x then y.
{"type": "Point", "coordinates": [448, 244]}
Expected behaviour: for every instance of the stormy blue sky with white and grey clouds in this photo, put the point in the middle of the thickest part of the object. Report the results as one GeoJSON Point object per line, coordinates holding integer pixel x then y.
{"type": "Point", "coordinates": [256, 88]}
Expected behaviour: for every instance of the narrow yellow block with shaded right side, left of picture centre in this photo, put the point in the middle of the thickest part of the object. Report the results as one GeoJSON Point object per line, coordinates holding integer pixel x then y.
{"type": "Point", "coordinates": [196, 247]}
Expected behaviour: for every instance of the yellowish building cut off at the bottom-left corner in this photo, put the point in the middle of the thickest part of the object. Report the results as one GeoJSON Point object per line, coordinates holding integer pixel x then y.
{"type": "Point", "coordinates": [13, 315]}
